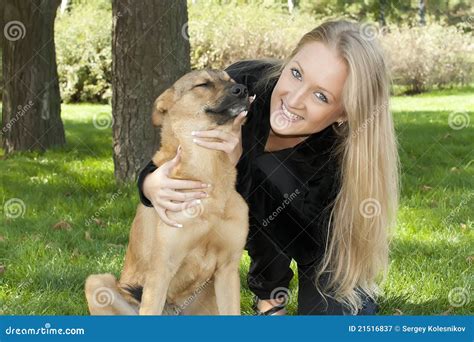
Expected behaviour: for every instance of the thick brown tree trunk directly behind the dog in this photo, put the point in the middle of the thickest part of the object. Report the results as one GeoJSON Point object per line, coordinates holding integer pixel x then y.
{"type": "Point", "coordinates": [150, 50]}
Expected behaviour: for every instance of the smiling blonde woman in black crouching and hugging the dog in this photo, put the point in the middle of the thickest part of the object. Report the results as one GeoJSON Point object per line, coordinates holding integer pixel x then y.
{"type": "Point", "coordinates": [318, 166]}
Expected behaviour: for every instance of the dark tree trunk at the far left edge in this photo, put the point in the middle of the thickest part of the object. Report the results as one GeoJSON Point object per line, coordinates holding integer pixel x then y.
{"type": "Point", "coordinates": [31, 114]}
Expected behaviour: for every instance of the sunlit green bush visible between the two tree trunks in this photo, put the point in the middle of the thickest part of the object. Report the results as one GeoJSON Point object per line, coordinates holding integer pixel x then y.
{"type": "Point", "coordinates": [83, 47]}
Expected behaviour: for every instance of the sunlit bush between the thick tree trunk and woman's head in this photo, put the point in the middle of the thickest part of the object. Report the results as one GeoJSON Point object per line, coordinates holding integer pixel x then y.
{"type": "Point", "coordinates": [221, 35]}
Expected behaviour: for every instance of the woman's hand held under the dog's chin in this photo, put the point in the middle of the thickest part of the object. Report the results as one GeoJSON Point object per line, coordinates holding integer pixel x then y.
{"type": "Point", "coordinates": [230, 143]}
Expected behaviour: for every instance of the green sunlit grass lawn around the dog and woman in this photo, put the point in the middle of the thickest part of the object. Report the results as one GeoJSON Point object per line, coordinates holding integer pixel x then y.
{"type": "Point", "coordinates": [45, 268]}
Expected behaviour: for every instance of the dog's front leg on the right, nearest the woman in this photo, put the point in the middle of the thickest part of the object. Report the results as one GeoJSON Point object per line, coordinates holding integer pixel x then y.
{"type": "Point", "coordinates": [227, 286]}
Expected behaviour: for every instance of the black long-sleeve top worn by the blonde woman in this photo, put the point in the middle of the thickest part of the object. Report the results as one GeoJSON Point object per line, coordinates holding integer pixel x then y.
{"type": "Point", "coordinates": [289, 192]}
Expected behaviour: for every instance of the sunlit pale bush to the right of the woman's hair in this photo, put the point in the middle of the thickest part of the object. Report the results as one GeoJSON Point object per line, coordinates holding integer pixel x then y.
{"type": "Point", "coordinates": [432, 56]}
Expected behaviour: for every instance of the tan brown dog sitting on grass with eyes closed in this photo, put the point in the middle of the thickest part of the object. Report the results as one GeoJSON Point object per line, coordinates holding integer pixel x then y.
{"type": "Point", "coordinates": [194, 269]}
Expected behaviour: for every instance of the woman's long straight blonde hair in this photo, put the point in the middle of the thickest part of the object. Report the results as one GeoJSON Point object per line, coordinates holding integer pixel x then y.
{"type": "Point", "coordinates": [364, 210]}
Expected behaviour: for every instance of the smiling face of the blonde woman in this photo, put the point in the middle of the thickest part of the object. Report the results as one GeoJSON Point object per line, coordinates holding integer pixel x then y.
{"type": "Point", "coordinates": [307, 96]}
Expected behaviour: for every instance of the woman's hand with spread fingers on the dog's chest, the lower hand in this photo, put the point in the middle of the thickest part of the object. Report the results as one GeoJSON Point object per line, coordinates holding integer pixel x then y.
{"type": "Point", "coordinates": [164, 192]}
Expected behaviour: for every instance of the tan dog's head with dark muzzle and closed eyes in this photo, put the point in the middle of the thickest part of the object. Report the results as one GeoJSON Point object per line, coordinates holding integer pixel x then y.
{"type": "Point", "coordinates": [205, 95]}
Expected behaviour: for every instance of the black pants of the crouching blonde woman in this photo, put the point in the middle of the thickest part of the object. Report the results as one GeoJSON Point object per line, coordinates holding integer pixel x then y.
{"type": "Point", "coordinates": [270, 275]}
